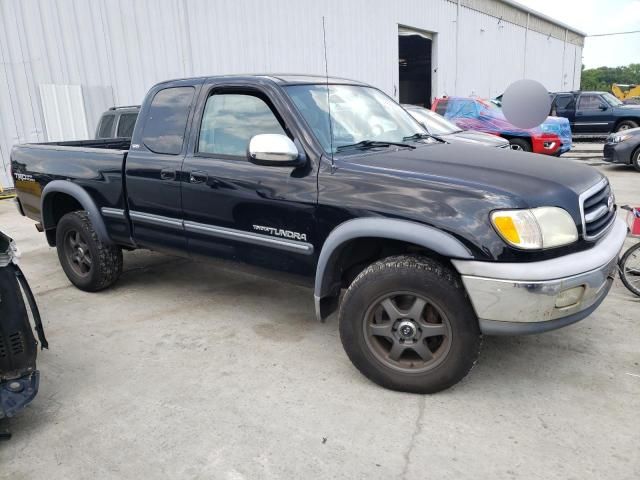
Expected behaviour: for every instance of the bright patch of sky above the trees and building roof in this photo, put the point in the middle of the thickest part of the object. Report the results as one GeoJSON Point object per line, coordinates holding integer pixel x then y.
{"type": "Point", "coordinates": [598, 16]}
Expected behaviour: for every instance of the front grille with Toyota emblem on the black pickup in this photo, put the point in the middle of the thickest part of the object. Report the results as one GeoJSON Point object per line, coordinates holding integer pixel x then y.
{"type": "Point", "coordinates": [597, 209]}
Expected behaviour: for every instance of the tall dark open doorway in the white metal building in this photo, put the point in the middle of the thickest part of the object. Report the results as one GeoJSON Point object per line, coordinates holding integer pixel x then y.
{"type": "Point", "coordinates": [414, 63]}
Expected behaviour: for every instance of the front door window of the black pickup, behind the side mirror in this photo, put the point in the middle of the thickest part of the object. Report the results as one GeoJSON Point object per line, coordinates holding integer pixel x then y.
{"type": "Point", "coordinates": [231, 119]}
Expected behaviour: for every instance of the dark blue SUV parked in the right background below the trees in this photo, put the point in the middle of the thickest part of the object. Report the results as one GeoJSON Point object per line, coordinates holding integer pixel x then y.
{"type": "Point", "coordinates": [594, 113]}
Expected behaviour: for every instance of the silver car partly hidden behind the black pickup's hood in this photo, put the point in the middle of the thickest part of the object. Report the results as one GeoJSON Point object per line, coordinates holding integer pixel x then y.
{"type": "Point", "coordinates": [442, 128]}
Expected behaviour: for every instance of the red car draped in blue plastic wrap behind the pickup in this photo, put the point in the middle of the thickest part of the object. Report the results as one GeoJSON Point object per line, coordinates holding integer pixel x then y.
{"type": "Point", "coordinates": [553, 137]}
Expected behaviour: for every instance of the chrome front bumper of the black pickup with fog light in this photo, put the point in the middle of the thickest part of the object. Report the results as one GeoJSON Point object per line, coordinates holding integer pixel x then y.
{"type": "Point", "coordinates": [521, 298]}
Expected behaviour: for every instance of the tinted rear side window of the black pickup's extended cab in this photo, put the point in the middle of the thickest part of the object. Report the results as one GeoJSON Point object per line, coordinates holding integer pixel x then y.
{"type": "Point", "coordinates": [166, 122]}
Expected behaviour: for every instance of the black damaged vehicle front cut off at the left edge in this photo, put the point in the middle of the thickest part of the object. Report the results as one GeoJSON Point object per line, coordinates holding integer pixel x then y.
{"type": "Point", "coordinates": [19, 377]}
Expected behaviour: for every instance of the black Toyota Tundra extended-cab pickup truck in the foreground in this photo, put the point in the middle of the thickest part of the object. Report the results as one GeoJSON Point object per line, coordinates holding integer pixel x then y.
{"type": "Point", "coordinates": [331, 181]}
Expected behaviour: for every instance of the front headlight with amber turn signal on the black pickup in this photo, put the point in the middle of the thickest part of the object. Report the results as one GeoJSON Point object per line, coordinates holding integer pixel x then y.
{"type": "Point", "coordinates": [536, 228]}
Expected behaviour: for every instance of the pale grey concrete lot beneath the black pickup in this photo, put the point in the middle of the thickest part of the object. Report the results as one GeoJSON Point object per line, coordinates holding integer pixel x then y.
{"type": "Point", "coordinates": [196, 370]}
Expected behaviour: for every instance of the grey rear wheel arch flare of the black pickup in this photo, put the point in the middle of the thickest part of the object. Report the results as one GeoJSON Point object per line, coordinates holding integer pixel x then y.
{"type": "Point", "coordinates": [60, 197]}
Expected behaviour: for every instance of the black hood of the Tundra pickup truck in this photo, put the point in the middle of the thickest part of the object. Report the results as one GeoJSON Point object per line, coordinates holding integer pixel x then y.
{"type": "Point", "coordinates": [528, 179]}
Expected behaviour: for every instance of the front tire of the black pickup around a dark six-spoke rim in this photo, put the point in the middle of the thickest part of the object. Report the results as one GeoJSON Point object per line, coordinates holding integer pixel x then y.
{"type": "Point", "coordinates": [424, 279]}
